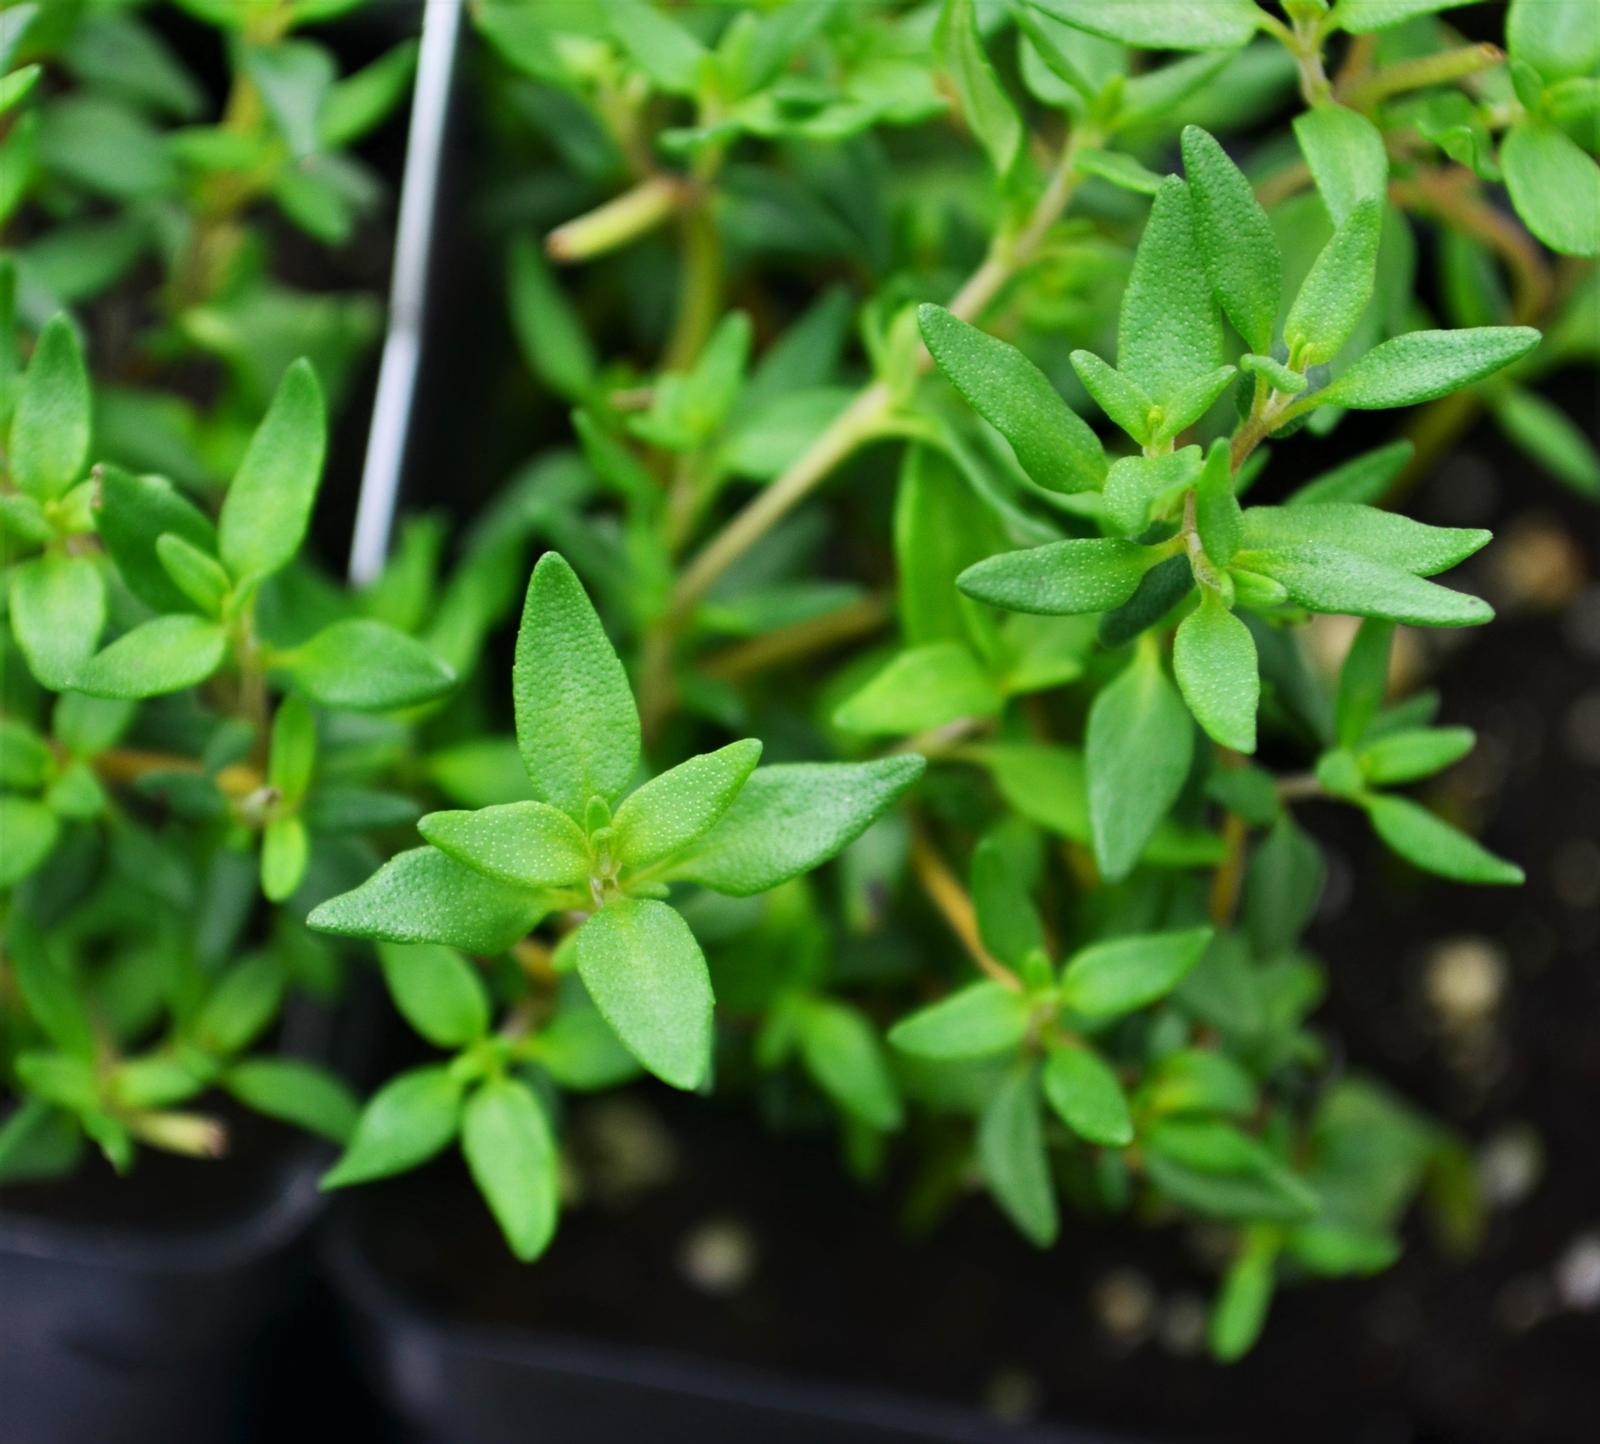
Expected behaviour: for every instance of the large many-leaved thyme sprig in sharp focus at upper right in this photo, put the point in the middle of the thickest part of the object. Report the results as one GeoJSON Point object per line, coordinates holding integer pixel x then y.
{"type": "Point", "coordinates": [1174, 515]}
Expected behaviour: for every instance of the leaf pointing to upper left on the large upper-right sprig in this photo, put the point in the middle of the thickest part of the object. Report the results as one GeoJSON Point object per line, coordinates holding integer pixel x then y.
{"type": "Point", "coordinates": [1055, 446]}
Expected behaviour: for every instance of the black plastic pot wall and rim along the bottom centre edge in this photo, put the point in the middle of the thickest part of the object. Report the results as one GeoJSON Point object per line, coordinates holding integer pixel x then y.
{"type": "Point", "coordinates": [452, 1384]}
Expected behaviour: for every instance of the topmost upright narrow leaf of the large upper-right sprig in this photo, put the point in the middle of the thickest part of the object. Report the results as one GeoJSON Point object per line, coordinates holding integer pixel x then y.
{"type": "Point", "coordinates": [1236, 239]}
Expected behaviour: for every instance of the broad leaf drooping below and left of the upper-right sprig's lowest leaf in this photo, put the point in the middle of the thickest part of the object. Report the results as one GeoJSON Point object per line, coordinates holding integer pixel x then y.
{"type": "Point", "coordinates": [1138, 752]}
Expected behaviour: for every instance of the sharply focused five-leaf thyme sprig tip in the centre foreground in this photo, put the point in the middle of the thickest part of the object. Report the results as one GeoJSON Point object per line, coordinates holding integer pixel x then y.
{"type": "Point", "coordinates": [585, 844]}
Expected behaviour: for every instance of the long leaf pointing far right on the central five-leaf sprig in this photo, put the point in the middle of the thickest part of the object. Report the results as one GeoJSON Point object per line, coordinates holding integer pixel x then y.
{"type": "Point", "coordinates": [793, 819]}
